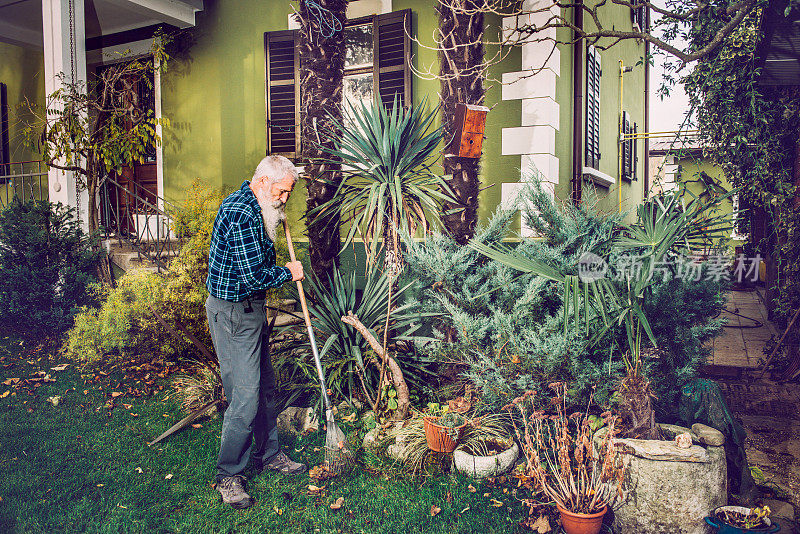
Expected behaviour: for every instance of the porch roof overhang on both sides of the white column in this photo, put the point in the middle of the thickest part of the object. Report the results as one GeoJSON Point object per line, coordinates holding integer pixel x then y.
{"type": "Point", "coordinates": [21, 20]}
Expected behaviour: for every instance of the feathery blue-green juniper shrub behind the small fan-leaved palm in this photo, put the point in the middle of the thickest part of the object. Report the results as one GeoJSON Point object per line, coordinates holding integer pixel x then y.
{"type": "Point", "coordinates": [509, 328]}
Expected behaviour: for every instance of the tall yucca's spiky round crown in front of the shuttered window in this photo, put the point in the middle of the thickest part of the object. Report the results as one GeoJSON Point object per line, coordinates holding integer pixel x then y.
{"type": "Point", "coordinates": [389, 186]}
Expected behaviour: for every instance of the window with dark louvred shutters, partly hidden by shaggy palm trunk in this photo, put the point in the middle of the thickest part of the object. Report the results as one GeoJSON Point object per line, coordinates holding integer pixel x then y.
{"type": "Point", "coordinates": [377, 59]}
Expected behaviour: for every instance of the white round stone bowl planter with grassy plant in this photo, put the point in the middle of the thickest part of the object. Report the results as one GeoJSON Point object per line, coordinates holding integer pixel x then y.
{"type": "Point", "coordinates": [486, 447]}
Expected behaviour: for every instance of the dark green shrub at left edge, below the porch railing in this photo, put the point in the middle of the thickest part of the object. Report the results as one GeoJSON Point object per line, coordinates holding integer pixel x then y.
{"type": "Point", "coordinates": [47, 264]}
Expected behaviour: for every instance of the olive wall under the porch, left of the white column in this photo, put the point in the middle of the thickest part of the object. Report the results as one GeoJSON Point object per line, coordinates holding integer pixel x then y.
{"type": "Point", "coordinates": [21, 69]}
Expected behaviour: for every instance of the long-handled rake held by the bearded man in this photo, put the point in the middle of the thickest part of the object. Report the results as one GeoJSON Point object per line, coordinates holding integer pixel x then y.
{"type": "Point", "coordinates": [338, 456]}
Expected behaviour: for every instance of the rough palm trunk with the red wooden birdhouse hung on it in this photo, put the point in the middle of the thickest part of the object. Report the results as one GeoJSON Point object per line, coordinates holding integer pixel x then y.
{"type": "Point", "coordinates": [460, 58]}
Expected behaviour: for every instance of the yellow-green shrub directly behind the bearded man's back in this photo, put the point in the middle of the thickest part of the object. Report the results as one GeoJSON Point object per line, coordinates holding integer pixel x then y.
{"type": "Point", "coordinates": [125, 324]}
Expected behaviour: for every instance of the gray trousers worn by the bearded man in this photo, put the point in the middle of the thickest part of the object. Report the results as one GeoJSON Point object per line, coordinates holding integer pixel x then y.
{"type": "Point", "coordinates": [249, 426]}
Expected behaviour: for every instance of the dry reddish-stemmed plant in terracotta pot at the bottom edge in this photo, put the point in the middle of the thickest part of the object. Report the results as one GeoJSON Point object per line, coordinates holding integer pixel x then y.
{"type": "Point", "coordinates": [583, 479]}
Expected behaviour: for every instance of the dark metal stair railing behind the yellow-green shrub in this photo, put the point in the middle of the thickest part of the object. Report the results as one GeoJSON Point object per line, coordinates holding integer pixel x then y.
{"type": "Point", "coordinates": [134, 216]}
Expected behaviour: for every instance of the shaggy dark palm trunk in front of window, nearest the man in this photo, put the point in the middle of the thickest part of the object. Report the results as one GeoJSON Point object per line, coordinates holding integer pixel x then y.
{"type": "Point", "coordinates": [321, 73]}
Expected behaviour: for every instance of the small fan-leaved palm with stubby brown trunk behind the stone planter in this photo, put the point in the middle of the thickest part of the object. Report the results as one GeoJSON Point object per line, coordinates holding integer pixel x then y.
{"type": "Point", "coordinates": [666, 229]}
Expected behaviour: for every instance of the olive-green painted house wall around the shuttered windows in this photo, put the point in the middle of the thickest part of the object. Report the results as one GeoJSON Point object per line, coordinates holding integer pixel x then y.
{"type": "Point", "coordinates": [214, 98]}
